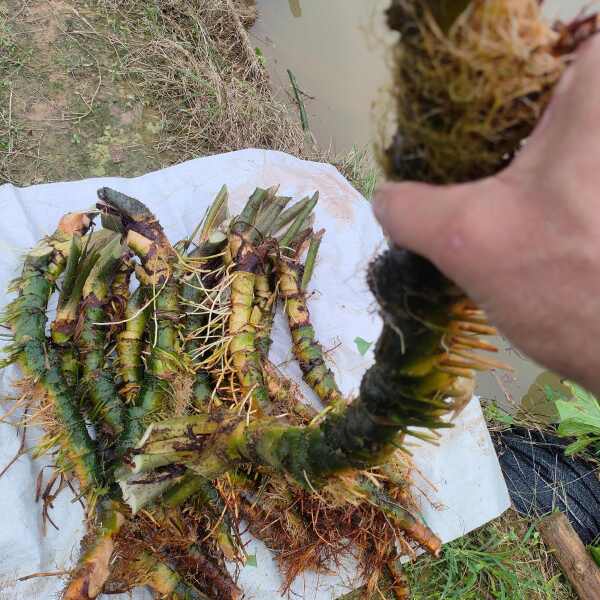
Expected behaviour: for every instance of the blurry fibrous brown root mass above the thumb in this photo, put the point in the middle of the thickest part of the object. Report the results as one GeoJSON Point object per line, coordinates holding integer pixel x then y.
{"type": "Point", "coordinates": [466, 99]}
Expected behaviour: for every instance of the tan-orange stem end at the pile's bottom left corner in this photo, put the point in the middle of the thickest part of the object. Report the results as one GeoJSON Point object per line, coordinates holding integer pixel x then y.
{"type": "Point", "coordinates": [92, 570]}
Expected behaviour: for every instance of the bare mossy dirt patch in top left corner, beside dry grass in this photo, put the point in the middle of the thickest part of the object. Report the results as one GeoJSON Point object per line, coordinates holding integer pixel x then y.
{"type": "Point", "coordinates": [68, 114]}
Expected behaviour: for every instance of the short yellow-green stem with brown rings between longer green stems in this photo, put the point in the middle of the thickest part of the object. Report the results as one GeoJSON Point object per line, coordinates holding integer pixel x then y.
{"type": "Point", "coordinates": [129, 344]}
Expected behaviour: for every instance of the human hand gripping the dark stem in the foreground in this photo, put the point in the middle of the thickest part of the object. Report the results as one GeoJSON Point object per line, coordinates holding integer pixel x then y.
{"type": "Point", "coordinates": [525, 244]}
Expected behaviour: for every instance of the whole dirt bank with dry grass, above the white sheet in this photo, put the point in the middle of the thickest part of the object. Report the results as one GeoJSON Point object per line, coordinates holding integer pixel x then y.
{"type": "Point", "coordinates": [116, 88]}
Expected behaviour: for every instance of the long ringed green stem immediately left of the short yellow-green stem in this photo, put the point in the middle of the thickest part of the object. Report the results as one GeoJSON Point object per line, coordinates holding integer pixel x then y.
{"type": "Point", "coordinates": [100, 383]}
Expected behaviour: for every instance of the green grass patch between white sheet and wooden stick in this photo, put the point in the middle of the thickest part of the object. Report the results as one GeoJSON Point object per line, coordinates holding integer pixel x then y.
{"type": "Point", "coordinates": [504, 560]}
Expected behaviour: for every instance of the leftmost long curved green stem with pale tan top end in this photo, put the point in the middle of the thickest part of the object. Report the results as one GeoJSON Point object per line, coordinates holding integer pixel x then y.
{"type": "Point", "coordinates": [26, 316]}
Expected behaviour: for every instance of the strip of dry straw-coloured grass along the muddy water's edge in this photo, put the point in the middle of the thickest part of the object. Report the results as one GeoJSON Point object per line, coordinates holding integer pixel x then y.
{"type": "Point", "coordinates": [192, 60]}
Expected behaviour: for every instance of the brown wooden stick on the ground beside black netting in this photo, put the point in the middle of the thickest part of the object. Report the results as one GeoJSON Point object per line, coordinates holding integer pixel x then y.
{"type": "Point", "coordinates": [576, 563]}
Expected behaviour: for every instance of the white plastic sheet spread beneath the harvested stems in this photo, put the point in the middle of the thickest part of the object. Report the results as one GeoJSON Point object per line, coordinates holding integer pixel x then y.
{"type": "Point", "coordinates": [460, 485]}
